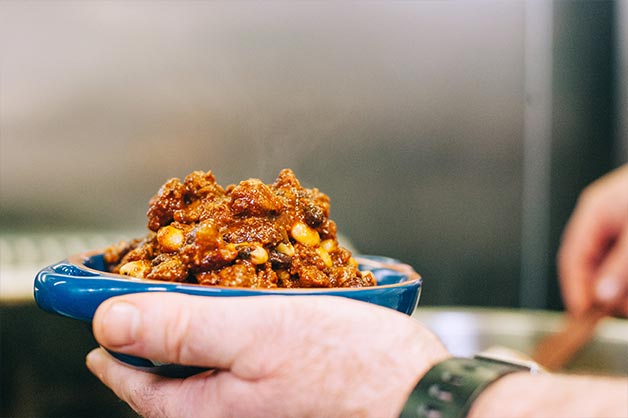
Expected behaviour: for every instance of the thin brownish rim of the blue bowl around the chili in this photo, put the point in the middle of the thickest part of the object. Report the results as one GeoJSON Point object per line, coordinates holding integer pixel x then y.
{"type": "Point", "coordinates": [78, 260]}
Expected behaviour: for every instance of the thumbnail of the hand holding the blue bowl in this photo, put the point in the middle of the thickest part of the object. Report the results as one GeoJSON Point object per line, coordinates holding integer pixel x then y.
{"type": "Point", "coordinates": [120, 325]}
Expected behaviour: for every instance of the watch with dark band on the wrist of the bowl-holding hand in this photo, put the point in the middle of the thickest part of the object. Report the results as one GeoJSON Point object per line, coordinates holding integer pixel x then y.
{"type": "Point", "coordinates": [449, 388]}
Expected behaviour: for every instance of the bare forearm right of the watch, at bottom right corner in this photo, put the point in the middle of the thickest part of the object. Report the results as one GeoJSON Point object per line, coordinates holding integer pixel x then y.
{"type": "Point", "coordinates": [522, 395]}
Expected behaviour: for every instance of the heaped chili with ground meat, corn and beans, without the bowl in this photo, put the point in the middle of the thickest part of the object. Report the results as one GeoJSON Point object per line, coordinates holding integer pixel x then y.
{"type": "Point", "coordinates": [246, 235]}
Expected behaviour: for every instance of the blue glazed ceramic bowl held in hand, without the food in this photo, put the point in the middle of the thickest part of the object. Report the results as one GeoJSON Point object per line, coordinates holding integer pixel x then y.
{"type": "Point", "coordinates": [76, 286]}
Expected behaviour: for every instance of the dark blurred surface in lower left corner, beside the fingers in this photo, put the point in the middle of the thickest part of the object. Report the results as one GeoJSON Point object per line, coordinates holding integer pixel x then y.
{"type": "Point", "coordinates": [43, 371]}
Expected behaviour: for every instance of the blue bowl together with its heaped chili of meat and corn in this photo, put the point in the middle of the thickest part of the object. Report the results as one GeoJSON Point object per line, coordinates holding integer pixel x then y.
{"type": "Point", "coordinates": [249, 239]}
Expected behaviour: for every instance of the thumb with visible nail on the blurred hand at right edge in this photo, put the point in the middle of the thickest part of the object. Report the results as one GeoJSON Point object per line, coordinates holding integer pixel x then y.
{"type": "Point", "coordinates": [611, 286]}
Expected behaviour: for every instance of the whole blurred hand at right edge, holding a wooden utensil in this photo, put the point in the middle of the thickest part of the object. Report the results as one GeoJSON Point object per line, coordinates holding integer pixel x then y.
{"type": "Point", "coordinates": [593, 257]}
